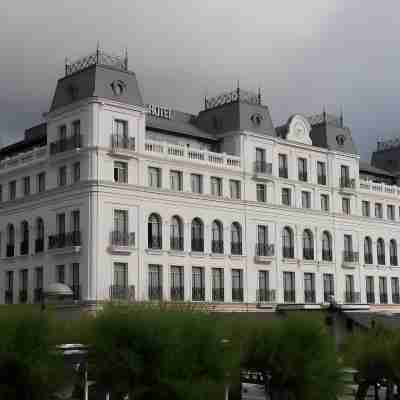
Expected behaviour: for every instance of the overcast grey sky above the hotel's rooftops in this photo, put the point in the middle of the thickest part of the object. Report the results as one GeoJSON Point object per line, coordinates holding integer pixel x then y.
{"type": "Point", "coordinates": [303, 55]}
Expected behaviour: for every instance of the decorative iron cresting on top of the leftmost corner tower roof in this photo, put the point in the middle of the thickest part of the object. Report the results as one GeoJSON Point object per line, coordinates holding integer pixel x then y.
{"type": "Point", "coordinates": [99, 57]}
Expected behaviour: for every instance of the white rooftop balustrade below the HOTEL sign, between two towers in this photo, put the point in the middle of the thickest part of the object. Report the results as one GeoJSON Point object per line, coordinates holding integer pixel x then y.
{"type": "Point", "coordinates": [176, 152]}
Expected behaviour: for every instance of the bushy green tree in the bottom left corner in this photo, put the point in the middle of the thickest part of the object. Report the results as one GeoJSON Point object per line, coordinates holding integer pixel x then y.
{"type": "Point", "coordinates": [30, 369]}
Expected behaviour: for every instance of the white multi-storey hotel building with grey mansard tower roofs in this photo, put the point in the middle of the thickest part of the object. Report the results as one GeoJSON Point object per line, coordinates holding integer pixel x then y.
{"type": "Point", "coordinates": [123, 200]}
